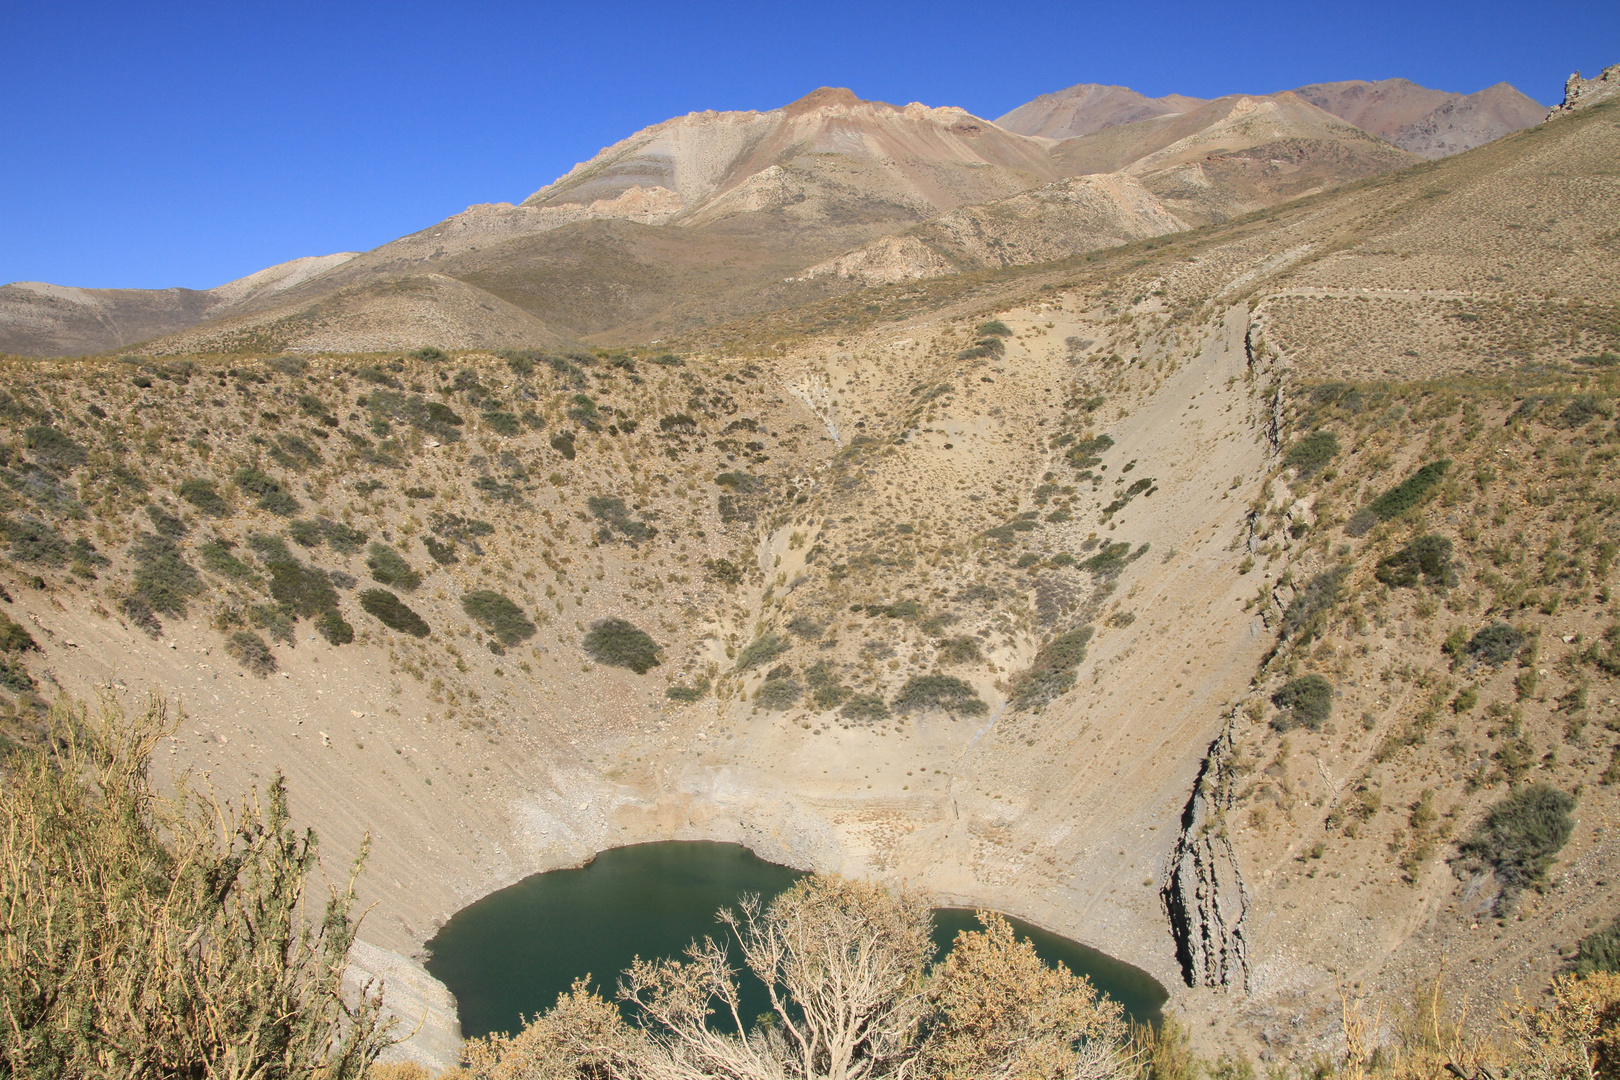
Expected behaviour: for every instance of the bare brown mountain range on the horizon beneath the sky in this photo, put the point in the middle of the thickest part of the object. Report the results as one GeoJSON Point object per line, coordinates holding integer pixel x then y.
{"type": "Point", "coordinates": [714, 216]}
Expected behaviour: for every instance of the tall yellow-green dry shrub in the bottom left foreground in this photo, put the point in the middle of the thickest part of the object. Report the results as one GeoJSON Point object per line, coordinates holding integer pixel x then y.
{"type": "Point", "coordinates": [150, 937]}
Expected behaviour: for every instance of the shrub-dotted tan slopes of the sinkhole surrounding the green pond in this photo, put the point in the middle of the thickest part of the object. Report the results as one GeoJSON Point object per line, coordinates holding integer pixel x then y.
{"type": "Point", "coordinates": [1198, 598]}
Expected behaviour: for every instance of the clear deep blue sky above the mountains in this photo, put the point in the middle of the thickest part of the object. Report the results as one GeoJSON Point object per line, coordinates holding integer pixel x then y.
{"type": "Point", "coordinates": [156, 145]}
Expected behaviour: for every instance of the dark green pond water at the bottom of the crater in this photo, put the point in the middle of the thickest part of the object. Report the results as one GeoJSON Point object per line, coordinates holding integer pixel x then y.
{"type": "Point", "coordinates": [509, 955]}
